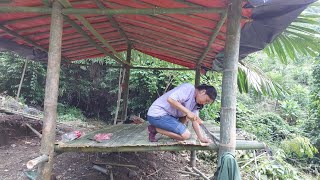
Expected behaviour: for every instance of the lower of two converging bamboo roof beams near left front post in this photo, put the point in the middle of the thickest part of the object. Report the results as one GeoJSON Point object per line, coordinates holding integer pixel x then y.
{"type": "Point", "coordinates": [90, 40]}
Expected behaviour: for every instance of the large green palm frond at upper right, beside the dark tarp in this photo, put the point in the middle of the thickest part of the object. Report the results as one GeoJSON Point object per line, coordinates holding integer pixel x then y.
{"type": "Point", "coordinates": [302, 37]}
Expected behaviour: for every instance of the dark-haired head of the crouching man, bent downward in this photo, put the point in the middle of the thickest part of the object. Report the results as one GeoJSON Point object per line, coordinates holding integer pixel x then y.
{"type": "Point", "coordinates": [206, 94]}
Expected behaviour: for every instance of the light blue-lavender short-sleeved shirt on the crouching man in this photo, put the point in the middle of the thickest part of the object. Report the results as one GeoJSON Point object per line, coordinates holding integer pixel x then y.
{"type": "Point", "coordinates": [184, 94]}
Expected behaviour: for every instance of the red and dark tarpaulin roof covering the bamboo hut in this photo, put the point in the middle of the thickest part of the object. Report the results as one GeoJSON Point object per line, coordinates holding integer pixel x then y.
{"type": "Point", "coordinates": [176, 31]}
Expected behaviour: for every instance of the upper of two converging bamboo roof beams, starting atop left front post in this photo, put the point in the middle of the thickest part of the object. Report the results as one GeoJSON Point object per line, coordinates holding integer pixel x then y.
{"type": "Point", "coordinates": [87, 24]}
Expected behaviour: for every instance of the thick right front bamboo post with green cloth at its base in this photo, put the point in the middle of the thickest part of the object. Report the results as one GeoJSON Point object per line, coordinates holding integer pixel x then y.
{"type": "Point", "coordinates": [229, 80]}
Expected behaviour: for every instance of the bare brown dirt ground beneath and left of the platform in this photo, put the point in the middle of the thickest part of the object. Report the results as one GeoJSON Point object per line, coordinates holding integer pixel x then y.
{"type": "Point", "coordinates": [18, 145]}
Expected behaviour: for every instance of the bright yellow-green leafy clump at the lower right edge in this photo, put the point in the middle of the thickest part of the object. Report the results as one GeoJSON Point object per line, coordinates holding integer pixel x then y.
{"type": "Point", "coordinates": [299, 147]}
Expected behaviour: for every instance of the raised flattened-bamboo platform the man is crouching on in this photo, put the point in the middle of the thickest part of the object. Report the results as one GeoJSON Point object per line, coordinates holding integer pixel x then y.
{"type": "Point", "coordinates": [134, 138]}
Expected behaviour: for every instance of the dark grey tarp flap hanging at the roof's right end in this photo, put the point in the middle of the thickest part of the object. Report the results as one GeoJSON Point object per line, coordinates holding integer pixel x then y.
{"type": "Point", "coordinates": [269, 19]}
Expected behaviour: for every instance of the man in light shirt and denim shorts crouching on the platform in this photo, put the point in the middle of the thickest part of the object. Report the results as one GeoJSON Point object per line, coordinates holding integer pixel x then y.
{"type": "Point", "coordinates": [170, 112]}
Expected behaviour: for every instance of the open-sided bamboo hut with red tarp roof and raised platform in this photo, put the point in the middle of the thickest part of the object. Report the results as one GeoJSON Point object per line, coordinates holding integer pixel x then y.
{"type": "Point", "coordinates": [197, 34]}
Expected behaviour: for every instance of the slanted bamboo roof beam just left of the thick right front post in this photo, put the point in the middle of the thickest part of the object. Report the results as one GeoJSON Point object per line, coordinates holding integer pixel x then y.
{"type": "Point", "coordinates": [213, 37]}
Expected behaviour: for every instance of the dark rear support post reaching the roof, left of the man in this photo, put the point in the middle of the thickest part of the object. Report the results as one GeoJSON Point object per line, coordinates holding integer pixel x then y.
{"type": "Point", "coordinates": [126, 84]}
